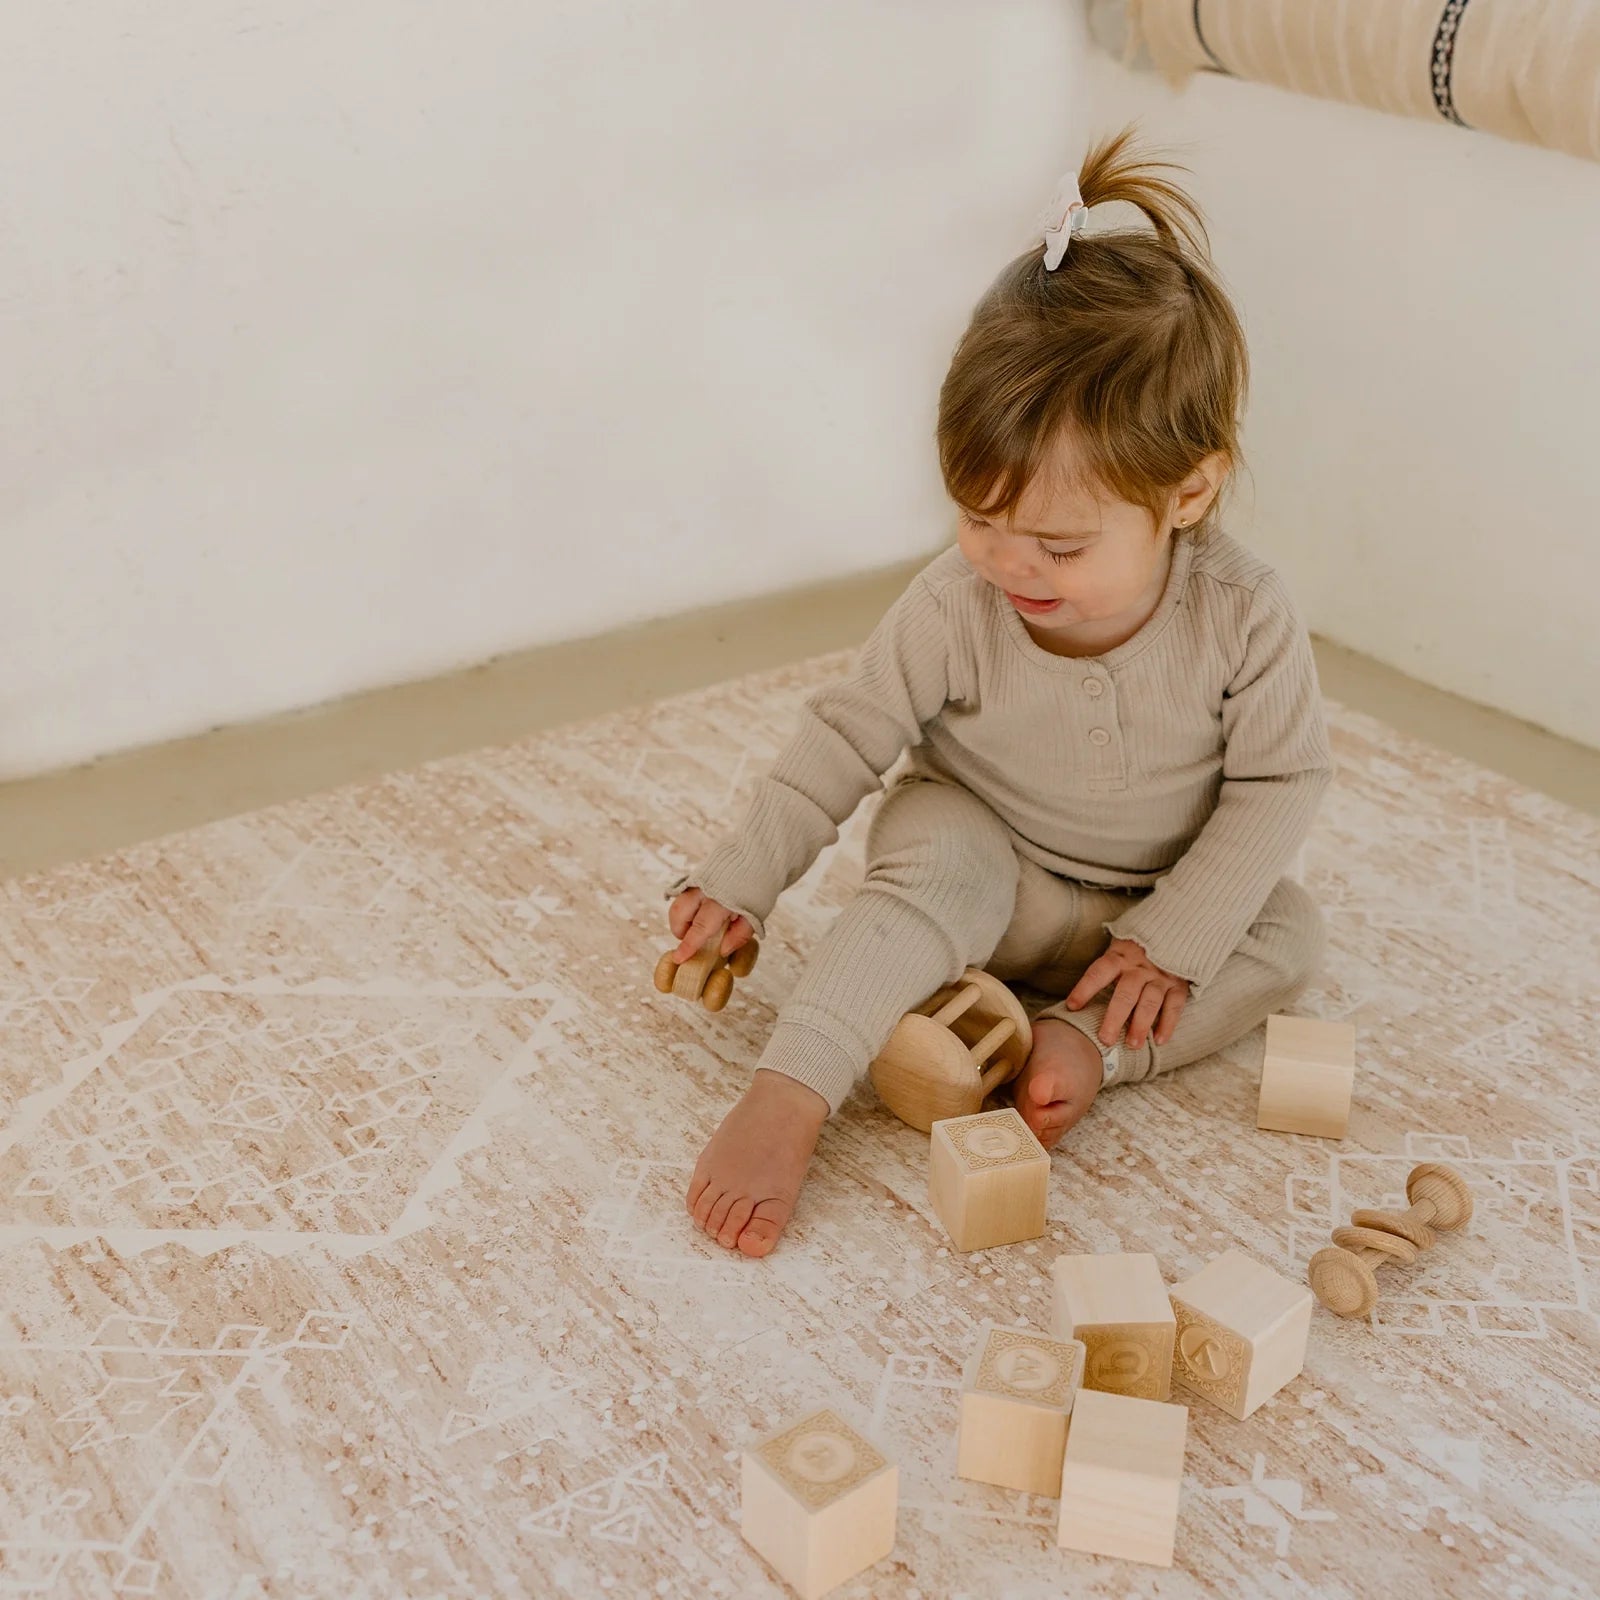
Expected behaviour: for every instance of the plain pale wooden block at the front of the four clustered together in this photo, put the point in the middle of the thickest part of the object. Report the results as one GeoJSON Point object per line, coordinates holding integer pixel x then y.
{"type": "Point", "coordinates": [1121, 1478]}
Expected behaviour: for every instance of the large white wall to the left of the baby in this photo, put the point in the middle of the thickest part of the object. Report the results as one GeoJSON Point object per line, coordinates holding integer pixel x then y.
{"type": "Point", "coordinates": [348, 343]}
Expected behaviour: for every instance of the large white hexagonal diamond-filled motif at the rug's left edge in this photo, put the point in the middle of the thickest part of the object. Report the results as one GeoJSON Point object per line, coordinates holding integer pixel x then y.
{"type": "Point", "coordinates": [364, 1098]}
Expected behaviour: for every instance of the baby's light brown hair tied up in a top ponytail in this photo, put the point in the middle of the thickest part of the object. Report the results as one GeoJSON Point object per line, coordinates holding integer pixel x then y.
{"type": "Point", "coordinates": [1130, 346]}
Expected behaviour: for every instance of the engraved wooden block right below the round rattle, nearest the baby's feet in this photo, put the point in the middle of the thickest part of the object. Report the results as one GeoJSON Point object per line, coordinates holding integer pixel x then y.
{"type": "Point", "coordinates": [988, 1180]}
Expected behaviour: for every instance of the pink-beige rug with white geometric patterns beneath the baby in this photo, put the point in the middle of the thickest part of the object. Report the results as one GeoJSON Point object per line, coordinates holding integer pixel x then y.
{"type": "Point", "coordinates": [343, 1250]}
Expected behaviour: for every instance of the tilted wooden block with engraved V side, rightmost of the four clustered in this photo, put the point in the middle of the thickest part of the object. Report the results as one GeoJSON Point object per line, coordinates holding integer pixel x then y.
{"type": "Point", "coordinates": [1241, 1332]}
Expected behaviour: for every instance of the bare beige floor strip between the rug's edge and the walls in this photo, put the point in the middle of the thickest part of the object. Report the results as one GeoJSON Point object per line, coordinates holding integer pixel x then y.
{"type": "Point", "coordinates": [121, 801]}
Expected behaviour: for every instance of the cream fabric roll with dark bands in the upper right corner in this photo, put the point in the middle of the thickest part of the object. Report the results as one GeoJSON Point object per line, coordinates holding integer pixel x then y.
{"type": "Point", "coordinates": [1526, 70]}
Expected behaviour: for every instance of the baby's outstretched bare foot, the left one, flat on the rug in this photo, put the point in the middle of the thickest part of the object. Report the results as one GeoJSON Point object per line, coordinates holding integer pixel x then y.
{"type": "Point", "coordinates": [750, 1175]}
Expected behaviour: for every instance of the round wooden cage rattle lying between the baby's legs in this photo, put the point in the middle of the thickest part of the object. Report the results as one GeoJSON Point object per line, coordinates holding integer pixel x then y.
{"type": "Point", "coordinates": [953, 1052]}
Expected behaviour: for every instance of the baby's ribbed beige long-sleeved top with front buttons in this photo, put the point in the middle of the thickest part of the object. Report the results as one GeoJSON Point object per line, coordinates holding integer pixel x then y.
{"type": "Point", "coordinates": [1190, 759]}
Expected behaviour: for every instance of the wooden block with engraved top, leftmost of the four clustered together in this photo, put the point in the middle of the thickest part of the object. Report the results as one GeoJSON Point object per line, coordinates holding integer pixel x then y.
{"type": "Point", "coordinates": [1017, 1396]}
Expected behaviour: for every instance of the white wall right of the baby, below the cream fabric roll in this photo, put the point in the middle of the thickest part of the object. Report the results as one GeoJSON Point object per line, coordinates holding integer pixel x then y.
{"type": "Point", "coordinates": [1425, 434]}
